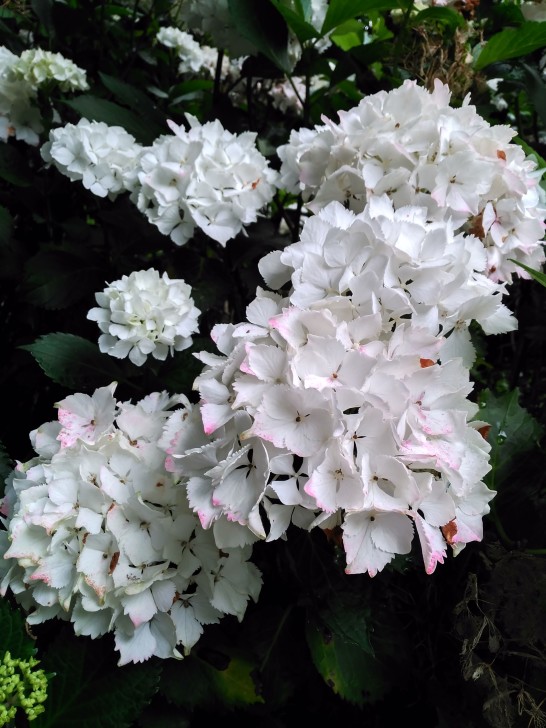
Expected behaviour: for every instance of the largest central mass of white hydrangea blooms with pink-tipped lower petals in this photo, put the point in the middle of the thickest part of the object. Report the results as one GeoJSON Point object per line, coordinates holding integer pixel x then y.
{"type": "Point", "coordinates": [335, 406]}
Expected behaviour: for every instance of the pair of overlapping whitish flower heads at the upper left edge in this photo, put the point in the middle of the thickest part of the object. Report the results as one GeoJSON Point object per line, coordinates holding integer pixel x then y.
{"type": "Point", "coordinates": [20, 78]}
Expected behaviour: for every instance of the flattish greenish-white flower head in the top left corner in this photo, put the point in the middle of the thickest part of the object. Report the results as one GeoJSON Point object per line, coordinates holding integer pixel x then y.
{"type": "Point", "coordinates": [36, 67]}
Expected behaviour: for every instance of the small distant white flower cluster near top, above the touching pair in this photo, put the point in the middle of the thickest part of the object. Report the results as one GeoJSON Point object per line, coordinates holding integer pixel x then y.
{"type": "Point", "coordinates": [195, 58]}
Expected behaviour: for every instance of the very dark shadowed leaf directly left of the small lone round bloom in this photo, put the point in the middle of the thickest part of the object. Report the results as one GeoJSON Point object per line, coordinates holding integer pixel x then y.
{"type": "Point", "coordinates": [54, 280]}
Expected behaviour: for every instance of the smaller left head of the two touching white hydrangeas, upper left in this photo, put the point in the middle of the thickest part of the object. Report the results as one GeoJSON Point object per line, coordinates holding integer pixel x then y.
{"type": "Point", "coordinates": [104, 158]}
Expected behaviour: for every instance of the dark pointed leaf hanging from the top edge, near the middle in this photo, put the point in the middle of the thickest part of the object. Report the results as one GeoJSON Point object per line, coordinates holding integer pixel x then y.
{"type": "Point", "coordinates": [264, 26]}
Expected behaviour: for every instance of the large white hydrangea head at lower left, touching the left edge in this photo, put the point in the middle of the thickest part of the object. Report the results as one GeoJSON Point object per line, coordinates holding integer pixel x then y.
{"type": "Point", "coordinates": [100, 533]}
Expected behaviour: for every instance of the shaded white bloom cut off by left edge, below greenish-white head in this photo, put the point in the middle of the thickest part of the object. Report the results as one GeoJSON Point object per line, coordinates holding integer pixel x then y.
{"type": "Point", "coordinates": [19, 116]}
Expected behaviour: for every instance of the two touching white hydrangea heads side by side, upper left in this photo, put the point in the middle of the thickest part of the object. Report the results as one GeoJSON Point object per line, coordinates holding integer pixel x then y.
{"type": "Point", "coordinates": [206, 177]}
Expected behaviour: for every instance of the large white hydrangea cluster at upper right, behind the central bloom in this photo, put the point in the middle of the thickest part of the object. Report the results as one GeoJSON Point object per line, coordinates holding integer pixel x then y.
{"type": "Point", "coordinates": [410, 144]}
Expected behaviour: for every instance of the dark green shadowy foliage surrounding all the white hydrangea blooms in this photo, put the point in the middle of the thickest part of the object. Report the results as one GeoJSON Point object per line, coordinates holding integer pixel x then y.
{"type": "Point", "coordinates": [465, 646]}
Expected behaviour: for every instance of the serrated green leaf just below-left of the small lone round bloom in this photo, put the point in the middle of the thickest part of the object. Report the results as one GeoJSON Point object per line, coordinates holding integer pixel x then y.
{"type": "Point", "coordinates": [74, 362]}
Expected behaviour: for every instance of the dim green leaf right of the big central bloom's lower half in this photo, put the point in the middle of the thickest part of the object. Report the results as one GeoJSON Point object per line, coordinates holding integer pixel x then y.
{"type": "Point", "coordinates": [513, 431]}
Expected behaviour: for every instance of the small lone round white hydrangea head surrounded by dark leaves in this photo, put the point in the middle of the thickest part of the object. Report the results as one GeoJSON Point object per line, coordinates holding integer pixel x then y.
{"type": "Point", "coordinates": [145, 313]}
